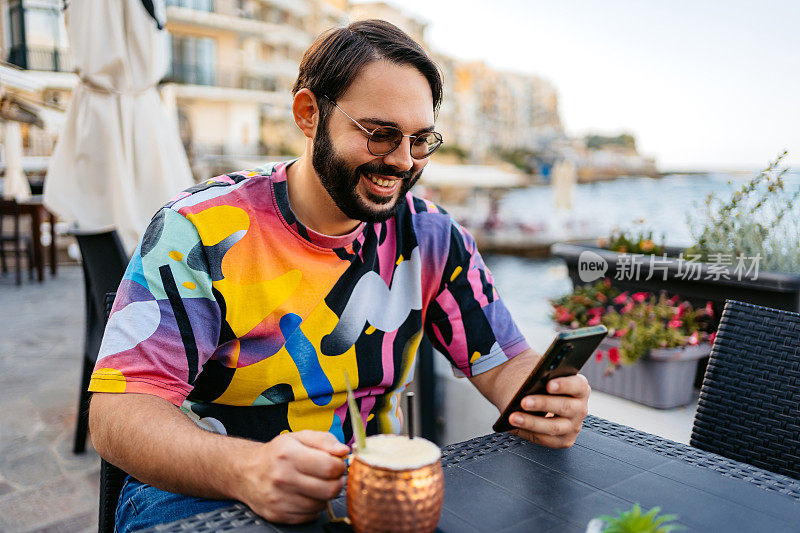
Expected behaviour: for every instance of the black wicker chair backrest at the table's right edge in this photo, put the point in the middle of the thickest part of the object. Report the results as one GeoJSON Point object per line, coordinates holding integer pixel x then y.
{"type": "Point", "coordinates": [749, 407]}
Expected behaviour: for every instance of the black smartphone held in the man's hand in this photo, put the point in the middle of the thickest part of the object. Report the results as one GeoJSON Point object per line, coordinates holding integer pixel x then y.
{"type": "Point", "coordinates": [566, 355]}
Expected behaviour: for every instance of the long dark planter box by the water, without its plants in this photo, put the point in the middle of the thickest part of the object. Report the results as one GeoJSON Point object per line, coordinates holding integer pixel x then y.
{"type": "Point", "coordinates": [771, 289]}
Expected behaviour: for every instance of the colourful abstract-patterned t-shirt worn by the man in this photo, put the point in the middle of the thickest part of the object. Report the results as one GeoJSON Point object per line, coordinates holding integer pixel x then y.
{"type": "Point", "coordinates": [234, 310]}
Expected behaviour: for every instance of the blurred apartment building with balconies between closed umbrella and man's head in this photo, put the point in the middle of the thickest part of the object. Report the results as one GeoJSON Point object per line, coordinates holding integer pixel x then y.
{"type": "Point", "coordinates": [232, 68]}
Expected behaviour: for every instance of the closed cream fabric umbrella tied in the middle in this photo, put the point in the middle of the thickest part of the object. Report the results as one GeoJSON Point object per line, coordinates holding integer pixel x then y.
{"type": "Point", "coordinates": [119, 156]}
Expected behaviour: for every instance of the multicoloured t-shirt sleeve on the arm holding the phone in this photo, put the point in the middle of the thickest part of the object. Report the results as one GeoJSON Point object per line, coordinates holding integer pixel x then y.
{"type": "Point", "coordinates": [466, 320]}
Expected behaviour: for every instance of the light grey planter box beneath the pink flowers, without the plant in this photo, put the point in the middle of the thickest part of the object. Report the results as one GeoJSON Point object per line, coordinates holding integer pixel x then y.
{"type": "Point", "coordinates": [663, 379]}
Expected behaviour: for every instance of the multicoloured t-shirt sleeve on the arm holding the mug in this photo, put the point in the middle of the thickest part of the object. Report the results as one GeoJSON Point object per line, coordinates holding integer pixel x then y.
{"type": "Point", "coordinates": [165, 322]}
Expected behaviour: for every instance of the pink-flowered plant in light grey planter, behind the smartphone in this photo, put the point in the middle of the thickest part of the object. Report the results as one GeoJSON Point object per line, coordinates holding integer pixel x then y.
{"type": "Point", "coordinates": [654, 345]}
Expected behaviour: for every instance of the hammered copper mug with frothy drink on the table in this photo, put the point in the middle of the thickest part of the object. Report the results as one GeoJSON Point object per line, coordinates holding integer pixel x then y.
{"type": "Point", "coordinates": [394, 494]}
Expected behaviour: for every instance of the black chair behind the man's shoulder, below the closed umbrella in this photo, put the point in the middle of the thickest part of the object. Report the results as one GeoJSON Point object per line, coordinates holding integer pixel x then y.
{"type": "Point", "coordinates": [104, 262]}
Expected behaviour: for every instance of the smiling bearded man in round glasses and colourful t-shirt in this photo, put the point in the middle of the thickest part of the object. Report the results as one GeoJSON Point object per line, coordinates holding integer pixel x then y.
{"type": "Point", "coordinates": [221, 374]}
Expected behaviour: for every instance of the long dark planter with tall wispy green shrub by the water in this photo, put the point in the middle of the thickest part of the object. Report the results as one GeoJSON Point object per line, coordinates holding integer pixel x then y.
{"type": "Point", "coordinates": [745, 249]}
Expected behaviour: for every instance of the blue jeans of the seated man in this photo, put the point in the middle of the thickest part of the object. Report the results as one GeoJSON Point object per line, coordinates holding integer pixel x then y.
{"type": "Point", "coordinates": [141, 506]}
